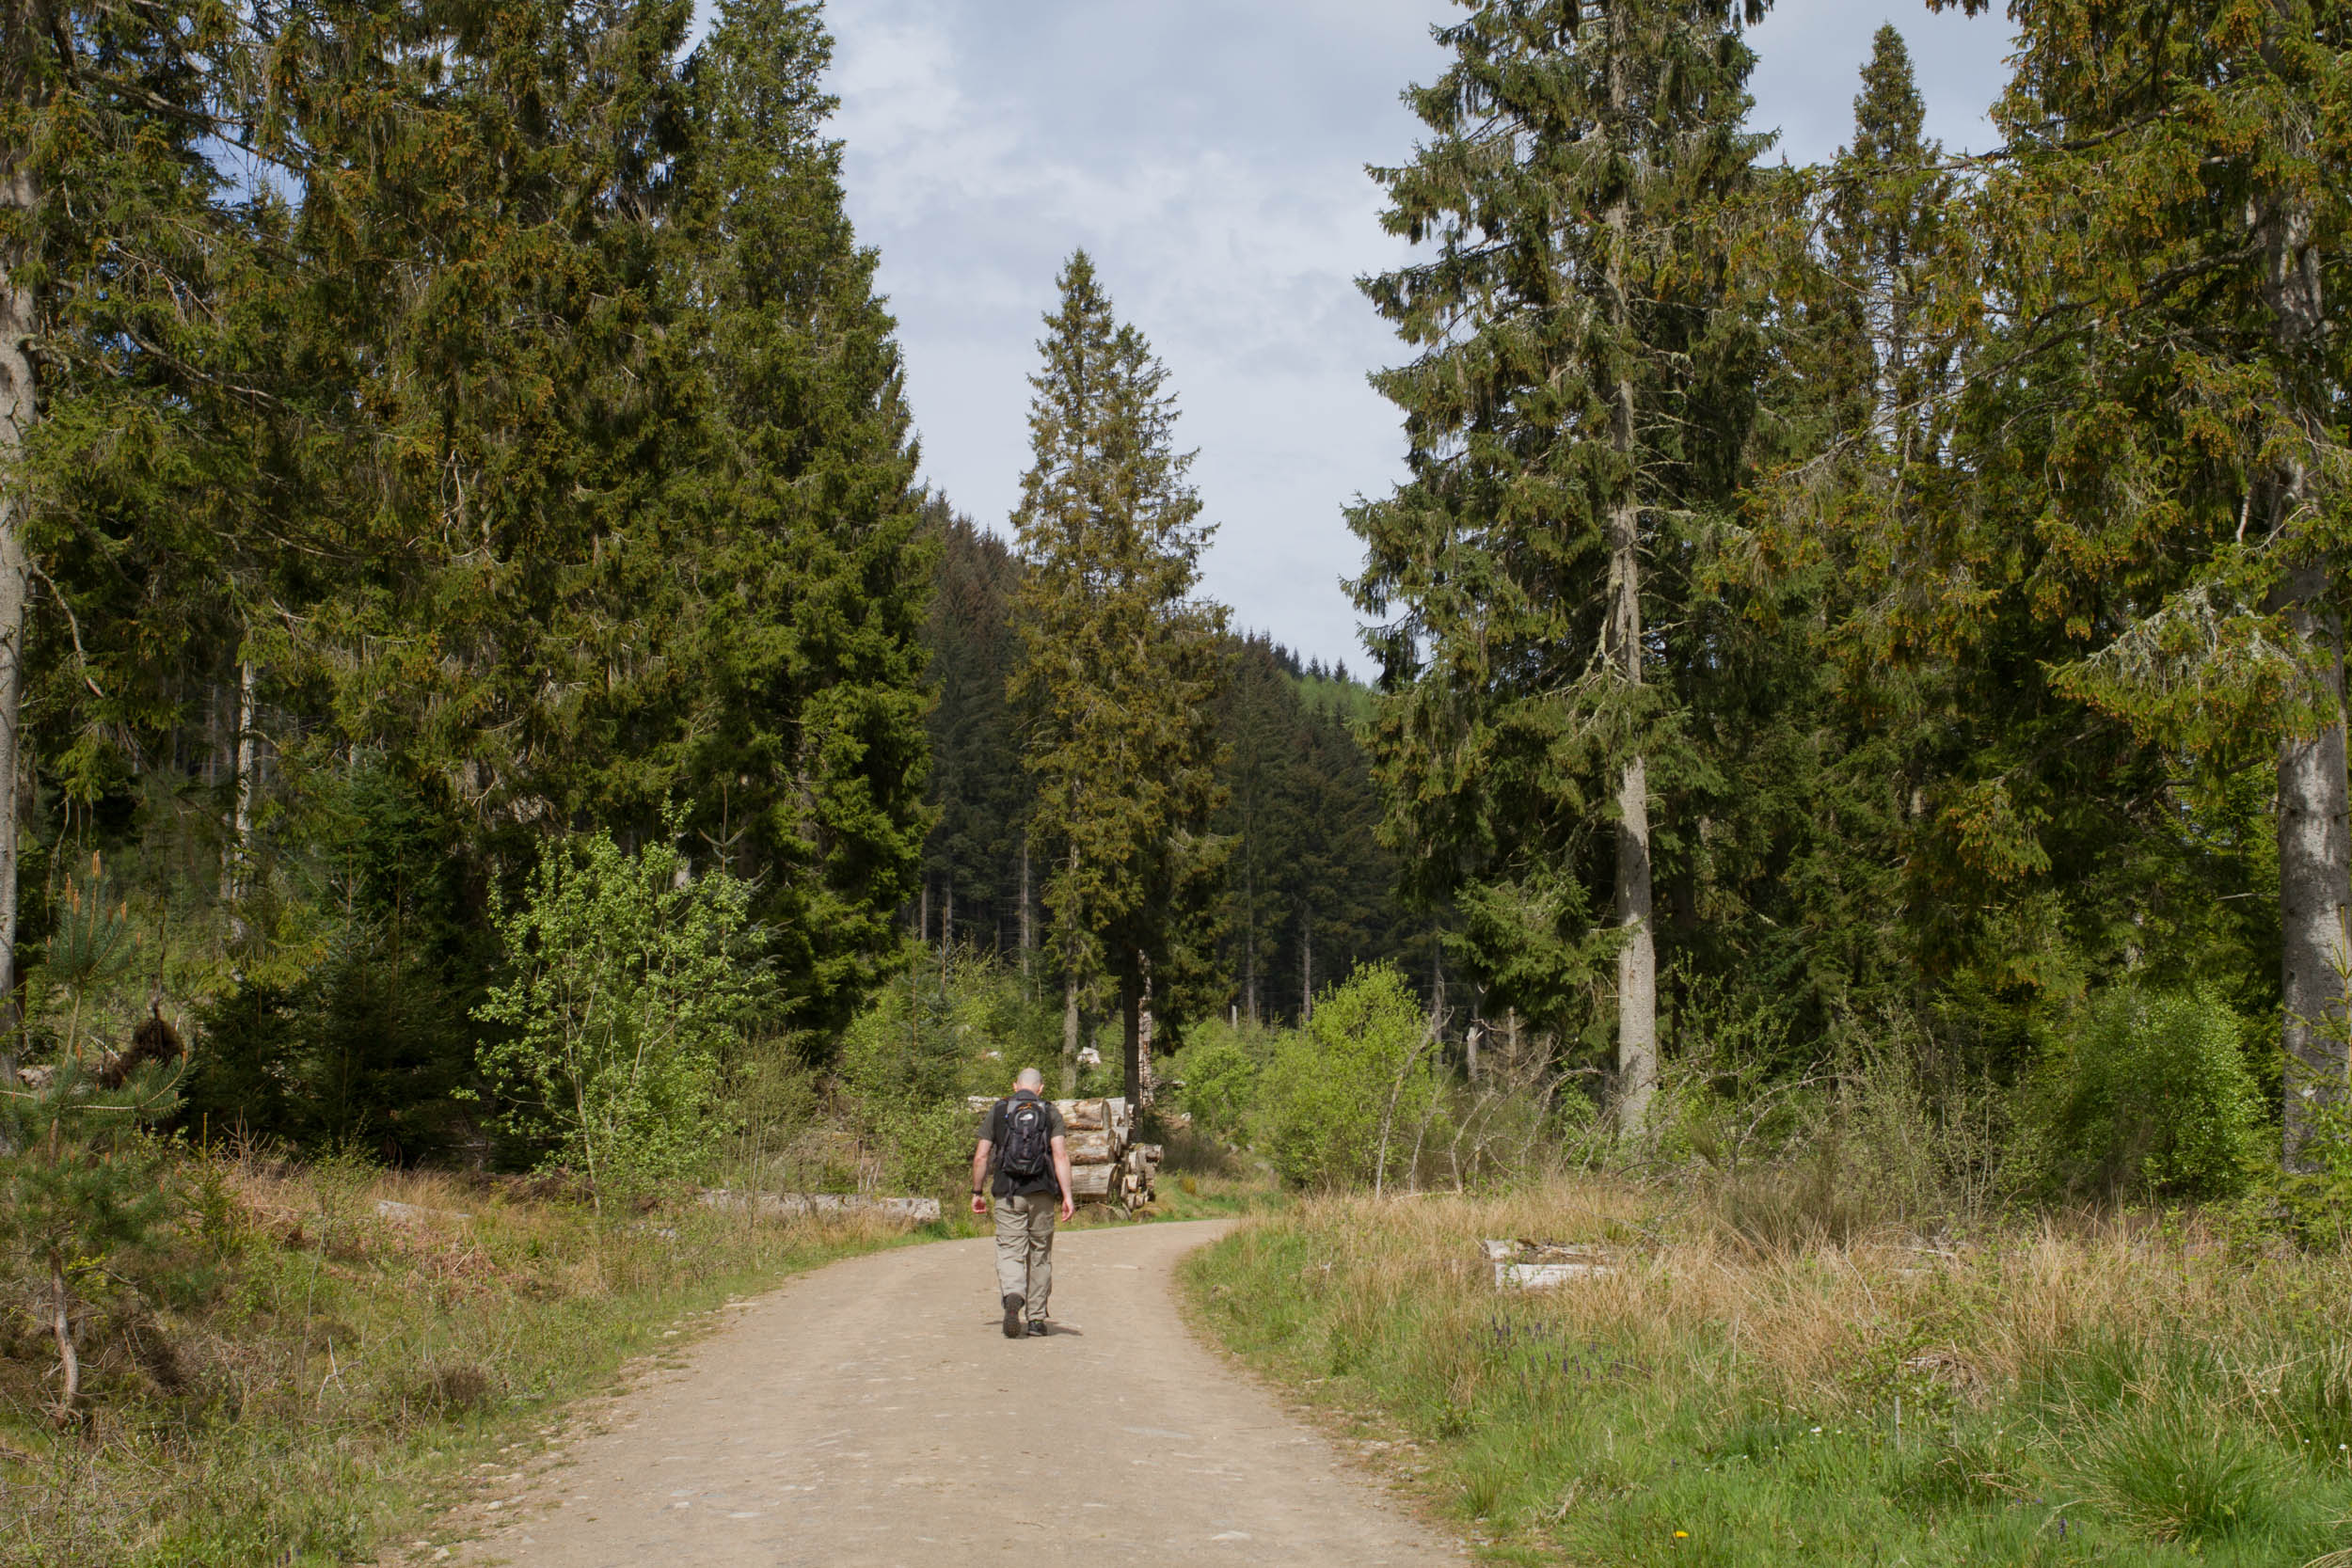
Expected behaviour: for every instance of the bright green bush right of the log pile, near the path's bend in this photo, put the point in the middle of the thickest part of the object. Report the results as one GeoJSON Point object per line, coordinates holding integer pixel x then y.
{"type": "Point", "coordinates": [1332, 1087]}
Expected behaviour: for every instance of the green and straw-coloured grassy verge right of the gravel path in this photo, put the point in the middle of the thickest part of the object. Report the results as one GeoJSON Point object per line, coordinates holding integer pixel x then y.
{"type": "Point", "coordinates": [2080, 1391]}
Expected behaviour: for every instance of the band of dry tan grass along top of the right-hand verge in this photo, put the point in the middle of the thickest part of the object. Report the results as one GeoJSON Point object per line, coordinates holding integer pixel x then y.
{"type": "Point", "coordinates": [1991, 1313]}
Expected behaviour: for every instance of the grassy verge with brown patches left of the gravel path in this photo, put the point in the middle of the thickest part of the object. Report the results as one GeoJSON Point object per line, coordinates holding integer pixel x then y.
{"type": "Point", "coordinates": [307, 1379]}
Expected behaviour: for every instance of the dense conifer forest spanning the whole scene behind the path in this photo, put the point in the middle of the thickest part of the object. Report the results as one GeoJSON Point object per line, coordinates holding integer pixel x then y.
{"type": "Point", "coordinates": [1878, 612]}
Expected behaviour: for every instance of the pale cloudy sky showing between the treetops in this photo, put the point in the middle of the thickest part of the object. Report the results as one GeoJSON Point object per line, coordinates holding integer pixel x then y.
{"type": "Point", "coordinates": [1210, 154]}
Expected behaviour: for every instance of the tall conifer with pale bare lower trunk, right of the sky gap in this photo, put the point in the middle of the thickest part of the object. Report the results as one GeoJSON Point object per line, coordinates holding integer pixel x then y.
{"type": "Point", "coordinates": [1582, 394]}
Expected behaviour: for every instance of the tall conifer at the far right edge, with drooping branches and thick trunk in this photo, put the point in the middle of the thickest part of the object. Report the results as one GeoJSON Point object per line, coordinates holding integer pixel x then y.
{"type": "Point", "coordinates": [2160, 227]}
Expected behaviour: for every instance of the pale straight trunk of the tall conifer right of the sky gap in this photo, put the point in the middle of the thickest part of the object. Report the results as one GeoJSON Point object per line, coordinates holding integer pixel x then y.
{"type": "Point", "coordinates": [1638, 956]}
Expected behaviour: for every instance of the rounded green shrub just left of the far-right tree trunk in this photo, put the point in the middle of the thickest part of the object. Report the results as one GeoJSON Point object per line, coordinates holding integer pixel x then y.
{"type": "Point", "coordinates": [2151, 1097]}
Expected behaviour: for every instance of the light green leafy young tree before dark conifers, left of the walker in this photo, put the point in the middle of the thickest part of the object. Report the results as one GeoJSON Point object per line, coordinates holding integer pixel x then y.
{"type": "Point", "coordinates": [624, 984]}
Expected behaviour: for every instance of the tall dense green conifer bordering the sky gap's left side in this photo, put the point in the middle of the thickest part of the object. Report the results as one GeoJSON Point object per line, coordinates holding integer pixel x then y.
{"type": "Point", "coordinates": [808, 589]}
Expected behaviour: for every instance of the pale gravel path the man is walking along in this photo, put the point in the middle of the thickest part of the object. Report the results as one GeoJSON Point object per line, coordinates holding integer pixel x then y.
{"type": "Point", "coordinates": [874, 1414]}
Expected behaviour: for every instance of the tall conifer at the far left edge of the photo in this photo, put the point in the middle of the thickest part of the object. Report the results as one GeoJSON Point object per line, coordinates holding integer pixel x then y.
{"type": "Point", "coordinates": [109, 229]}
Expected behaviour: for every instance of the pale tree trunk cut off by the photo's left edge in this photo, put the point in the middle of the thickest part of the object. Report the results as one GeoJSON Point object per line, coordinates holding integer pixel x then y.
{"type": "Point", "coordinates": [18, 410]}
